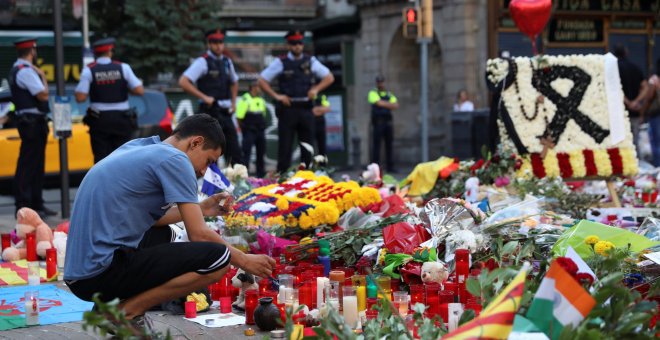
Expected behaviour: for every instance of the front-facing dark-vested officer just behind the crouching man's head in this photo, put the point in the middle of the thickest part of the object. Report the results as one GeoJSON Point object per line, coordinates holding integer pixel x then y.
{"type": "Point", "coordinates": [217, 88]}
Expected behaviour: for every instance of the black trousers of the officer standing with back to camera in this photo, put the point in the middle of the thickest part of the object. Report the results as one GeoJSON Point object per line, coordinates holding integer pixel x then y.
{"type": "Point", "coordinates": [108, 132]}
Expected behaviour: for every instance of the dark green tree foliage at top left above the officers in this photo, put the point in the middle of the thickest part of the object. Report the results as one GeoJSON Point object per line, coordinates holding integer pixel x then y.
{"type": "Point", "coordinates": [155, 36]}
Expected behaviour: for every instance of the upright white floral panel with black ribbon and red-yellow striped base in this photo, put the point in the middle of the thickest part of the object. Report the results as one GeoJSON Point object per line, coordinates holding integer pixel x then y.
{"type": "Point", "coordinates": [564, 114]}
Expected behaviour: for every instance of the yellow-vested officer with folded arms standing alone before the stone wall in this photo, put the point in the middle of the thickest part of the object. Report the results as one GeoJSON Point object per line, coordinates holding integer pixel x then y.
{"type": "Point", "coordinates": [383, 102]}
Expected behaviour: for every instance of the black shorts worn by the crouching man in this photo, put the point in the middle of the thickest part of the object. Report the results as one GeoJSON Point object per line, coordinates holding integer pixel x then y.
{"type": "Point", "coordinates": [155, 262]}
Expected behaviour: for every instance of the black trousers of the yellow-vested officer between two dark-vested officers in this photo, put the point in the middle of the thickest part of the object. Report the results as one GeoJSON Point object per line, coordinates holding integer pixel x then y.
{"type": "Point", "coordinates": [254, 134]}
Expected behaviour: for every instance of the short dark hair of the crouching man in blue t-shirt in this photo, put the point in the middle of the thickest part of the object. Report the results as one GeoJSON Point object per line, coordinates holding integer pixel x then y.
{"type": "Point", "coordinates": [202, 125]}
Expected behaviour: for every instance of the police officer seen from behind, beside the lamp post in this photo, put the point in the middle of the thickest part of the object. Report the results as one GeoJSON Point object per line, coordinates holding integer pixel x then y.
{"type": "Point", "coordinates": [107, 83]}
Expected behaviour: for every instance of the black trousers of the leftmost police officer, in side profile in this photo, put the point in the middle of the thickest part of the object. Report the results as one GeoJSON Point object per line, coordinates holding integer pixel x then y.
{"type": "Point", "coordinates": [31, 165]}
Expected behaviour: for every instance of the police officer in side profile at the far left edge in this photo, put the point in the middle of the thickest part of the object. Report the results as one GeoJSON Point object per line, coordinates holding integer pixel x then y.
{"type": "Point", "coordinates": [29, 90]}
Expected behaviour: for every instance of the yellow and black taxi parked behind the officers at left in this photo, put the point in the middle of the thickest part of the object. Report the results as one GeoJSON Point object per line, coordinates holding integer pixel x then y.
{"type": "Point", "coordinates": [154, 118]}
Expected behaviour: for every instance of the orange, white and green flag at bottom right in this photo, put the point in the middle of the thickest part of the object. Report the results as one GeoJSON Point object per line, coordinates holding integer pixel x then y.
{"type": "Point", "coordinates": [559, 301]}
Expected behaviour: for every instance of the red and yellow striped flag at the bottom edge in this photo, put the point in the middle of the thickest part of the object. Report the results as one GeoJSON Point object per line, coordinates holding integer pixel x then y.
{"type": "Point", "coordinates": [496, 321]}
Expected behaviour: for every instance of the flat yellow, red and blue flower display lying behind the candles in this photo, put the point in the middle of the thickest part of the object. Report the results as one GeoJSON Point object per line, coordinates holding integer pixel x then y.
{"type": "Point", "coordinates": [304, 201]}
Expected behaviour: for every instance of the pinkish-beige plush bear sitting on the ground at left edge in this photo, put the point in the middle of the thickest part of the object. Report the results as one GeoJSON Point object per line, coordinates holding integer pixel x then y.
{"type": "Point", "coordinates": [28, 221]}
